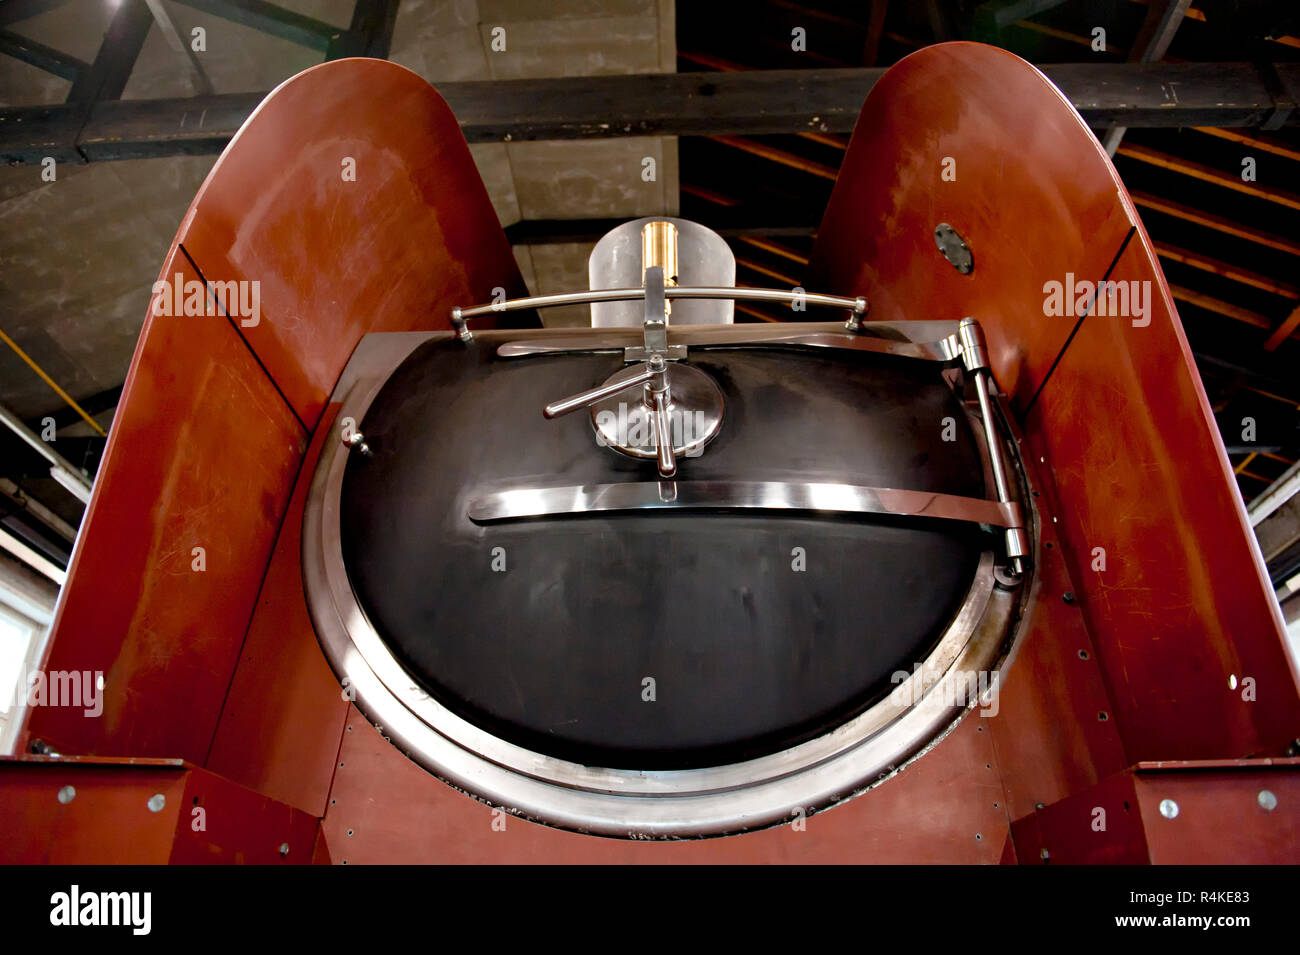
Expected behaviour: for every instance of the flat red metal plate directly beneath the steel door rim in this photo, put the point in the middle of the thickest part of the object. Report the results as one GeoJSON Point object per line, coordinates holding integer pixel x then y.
{"type": "Point", "coordinates": [385, 809]}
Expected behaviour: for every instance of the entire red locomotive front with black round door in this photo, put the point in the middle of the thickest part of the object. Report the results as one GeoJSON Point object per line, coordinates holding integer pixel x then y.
{"type": "Point", "coordinates": [380, 570]}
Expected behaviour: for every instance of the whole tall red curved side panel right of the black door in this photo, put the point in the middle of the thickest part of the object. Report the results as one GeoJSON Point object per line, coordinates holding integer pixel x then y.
{"type": "Point", "coordinates": [1113, 405]}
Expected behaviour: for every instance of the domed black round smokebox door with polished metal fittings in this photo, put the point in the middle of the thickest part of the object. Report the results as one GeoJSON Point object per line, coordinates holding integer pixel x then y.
{"type": "Point", "coordinates": [661, 640]}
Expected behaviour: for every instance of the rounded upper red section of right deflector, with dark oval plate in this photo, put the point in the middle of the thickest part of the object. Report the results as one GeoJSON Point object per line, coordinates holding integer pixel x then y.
{"type": "Point", "coordinates": [1028, 186]}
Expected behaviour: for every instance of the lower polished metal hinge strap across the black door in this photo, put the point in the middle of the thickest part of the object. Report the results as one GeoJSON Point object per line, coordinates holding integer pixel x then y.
{"type": "Point", "coordinates": [739, 496]}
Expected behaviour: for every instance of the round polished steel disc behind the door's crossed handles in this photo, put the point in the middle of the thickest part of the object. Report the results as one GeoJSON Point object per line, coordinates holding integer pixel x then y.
{"type": "Point", "coordinates": [626, 424]}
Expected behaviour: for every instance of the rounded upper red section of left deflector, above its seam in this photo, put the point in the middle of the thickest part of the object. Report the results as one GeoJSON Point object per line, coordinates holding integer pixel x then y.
{"type": "Point", "coordinates": [392, 250]}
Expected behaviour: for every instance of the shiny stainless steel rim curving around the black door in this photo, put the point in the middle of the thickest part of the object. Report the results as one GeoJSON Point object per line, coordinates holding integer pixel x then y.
{"type": "Point", "coordinates": [634, 804]}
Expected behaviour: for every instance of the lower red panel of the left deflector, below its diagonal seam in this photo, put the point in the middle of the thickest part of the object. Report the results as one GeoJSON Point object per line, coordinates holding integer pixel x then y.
{"type": "Point", "coordinates": [202, 454]}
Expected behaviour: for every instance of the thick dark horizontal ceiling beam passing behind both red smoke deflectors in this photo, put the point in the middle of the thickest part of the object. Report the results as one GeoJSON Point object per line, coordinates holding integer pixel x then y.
{"type": "Point", "coordinates": [705, 105]}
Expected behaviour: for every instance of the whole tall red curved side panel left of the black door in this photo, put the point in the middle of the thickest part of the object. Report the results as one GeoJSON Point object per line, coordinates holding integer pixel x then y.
{"type": "Point", "coordinates": [210, 433]}
